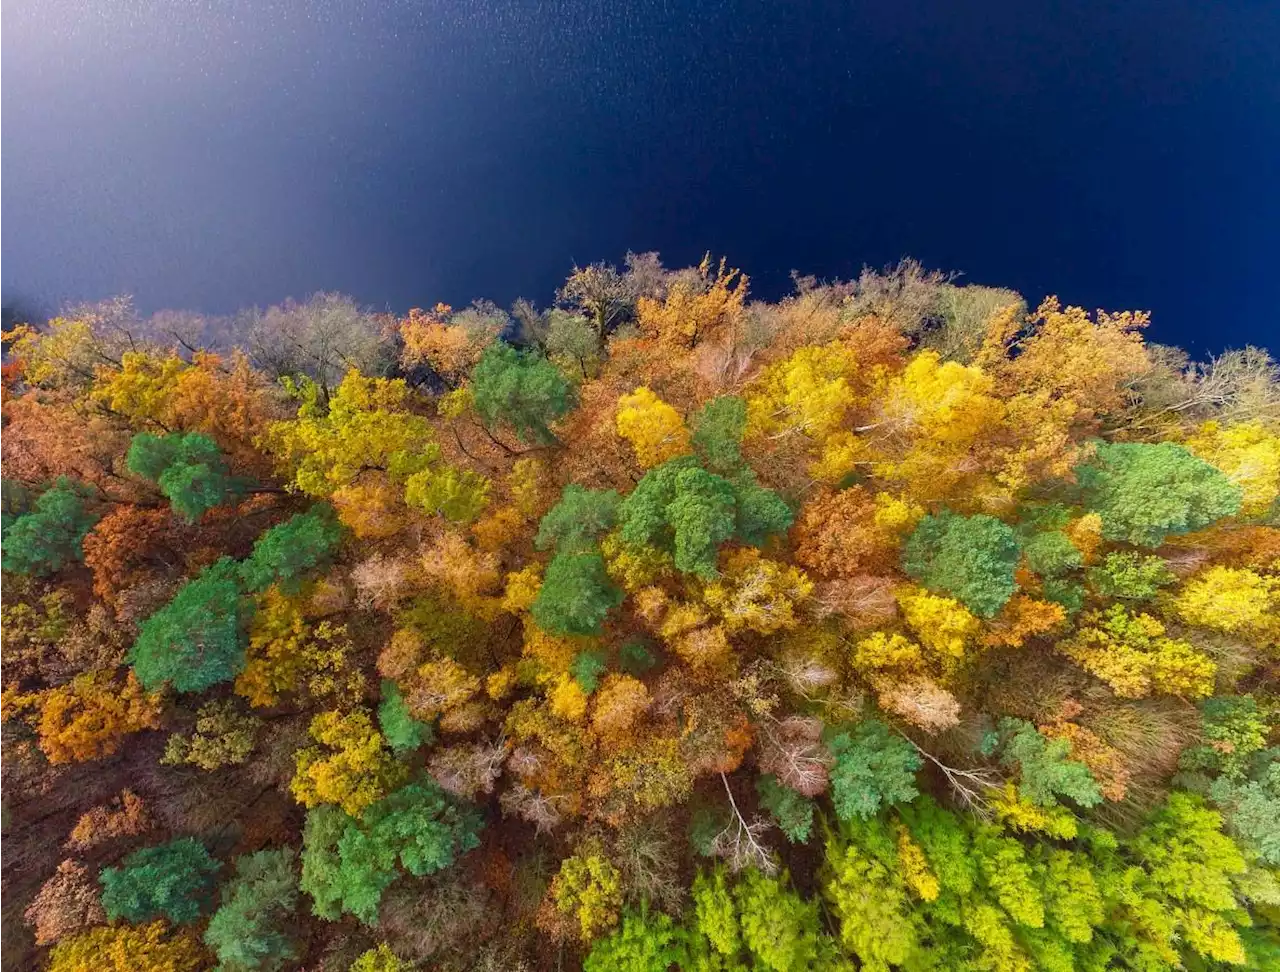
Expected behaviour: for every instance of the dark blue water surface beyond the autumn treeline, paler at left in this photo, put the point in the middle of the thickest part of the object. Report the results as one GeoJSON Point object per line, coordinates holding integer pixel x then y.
{"type": "Point", "coordinates": [236, 152]}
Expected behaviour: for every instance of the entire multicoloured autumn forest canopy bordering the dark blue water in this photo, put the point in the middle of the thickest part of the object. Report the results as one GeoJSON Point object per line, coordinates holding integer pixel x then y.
{"type": "Point", "coordinates": [893, 626]}
